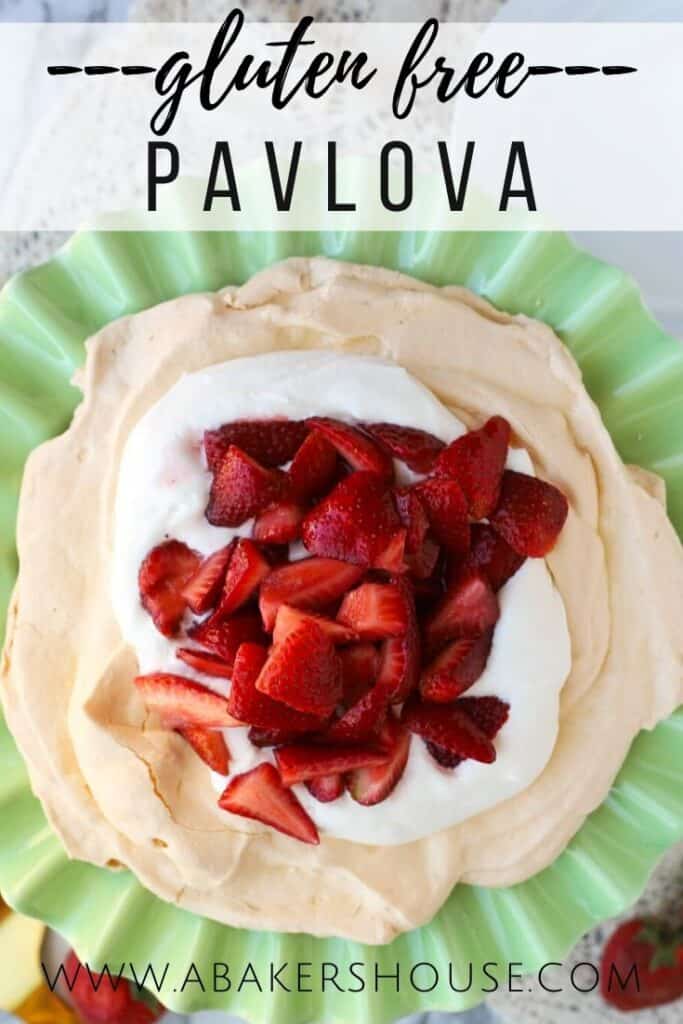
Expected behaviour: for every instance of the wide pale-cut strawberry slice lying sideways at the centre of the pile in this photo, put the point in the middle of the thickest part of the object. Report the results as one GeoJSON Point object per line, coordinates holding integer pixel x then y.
{"type": "Point", "coordinates": [311, 584]}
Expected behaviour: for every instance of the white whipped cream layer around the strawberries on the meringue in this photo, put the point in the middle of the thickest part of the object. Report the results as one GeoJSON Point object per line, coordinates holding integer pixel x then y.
{"type": "Point", "coordinates": [163, 492]}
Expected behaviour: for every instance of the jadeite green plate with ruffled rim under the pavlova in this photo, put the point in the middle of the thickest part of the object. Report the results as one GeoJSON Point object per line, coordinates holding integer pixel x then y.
{"type": "Point", "coordinates": [635, 373]}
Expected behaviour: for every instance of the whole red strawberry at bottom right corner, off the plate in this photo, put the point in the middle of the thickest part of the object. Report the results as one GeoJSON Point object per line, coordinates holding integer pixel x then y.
{"type": "Point", "coordinates": [643, 966]}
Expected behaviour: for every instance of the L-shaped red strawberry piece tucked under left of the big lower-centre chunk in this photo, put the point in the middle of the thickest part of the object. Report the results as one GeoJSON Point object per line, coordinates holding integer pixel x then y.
{"type": "Point", "coordinates": [249, 705]}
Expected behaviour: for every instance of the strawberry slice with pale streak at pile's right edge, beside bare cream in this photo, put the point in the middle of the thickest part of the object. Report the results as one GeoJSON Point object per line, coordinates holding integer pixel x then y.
{"type": "Point", "coordinates": [469, 608]}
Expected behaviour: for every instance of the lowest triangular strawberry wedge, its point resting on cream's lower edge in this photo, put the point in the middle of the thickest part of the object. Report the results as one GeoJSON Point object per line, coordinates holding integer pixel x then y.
{"type": "Point", "coordinates": [260, 794]}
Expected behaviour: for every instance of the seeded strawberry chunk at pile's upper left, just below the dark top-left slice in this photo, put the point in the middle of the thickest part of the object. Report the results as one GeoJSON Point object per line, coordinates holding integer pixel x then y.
{"type": "Point", "coordinates": [242, 489]}
